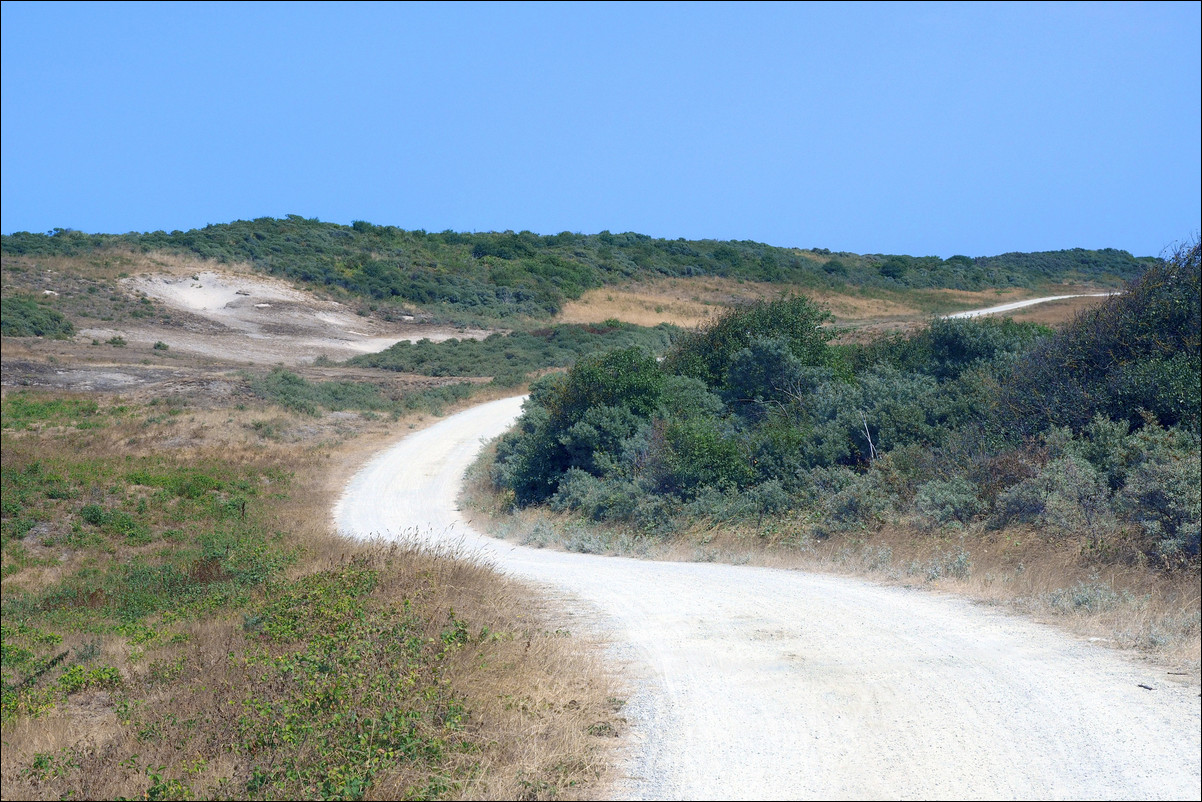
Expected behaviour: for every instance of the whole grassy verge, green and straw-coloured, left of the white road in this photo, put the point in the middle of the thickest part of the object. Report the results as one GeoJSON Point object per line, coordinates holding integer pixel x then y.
{"type": "Point", "coordinates": [181, 623]}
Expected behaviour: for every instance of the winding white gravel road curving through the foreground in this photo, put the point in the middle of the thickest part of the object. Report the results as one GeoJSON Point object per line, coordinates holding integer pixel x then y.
{"type": "Point", "coordinates": [759, 684]}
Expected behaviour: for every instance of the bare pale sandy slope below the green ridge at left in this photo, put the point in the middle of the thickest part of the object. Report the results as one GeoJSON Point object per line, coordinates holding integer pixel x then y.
{"type": "Point", "coordinates": [230, 313]}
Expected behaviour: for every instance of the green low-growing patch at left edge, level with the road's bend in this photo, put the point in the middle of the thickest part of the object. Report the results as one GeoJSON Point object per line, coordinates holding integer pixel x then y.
{"type": "Point", "coordinates": [166, 539]}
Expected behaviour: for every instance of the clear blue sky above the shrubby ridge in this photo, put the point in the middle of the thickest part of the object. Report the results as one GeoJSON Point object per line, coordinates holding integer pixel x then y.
{"type": "Point", "coordinates": [925, 129]}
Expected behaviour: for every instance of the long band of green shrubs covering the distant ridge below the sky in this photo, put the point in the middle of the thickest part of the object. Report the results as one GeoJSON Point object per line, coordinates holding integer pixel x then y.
{"type": "Point", "coordinates": [497, 276]}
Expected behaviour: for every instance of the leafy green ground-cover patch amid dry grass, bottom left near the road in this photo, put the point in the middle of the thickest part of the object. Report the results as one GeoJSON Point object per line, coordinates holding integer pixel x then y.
{"type": "Point", "coordinates": [336, 687]}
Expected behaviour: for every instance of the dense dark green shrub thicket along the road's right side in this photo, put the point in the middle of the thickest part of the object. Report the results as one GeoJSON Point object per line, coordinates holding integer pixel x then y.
{"type": "Point", "coordinates": [759, 414]}
